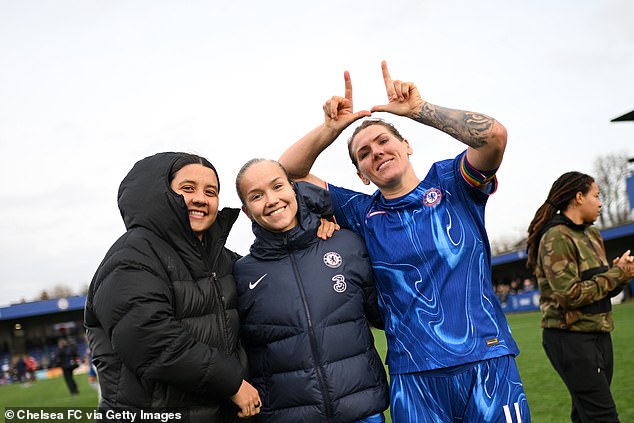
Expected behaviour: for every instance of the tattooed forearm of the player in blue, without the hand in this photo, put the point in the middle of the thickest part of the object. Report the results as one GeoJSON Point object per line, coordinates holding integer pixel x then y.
{"type": "Point", "coordinates": [473, 129]}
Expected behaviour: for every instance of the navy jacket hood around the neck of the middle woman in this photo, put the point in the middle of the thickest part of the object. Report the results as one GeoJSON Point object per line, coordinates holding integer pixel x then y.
{"type": "Point", "coordinates": [313, 203]}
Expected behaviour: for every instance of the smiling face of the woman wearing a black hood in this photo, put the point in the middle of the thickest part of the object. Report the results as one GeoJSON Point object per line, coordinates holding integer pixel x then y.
{"type": "Point", "coordinates": [199, 187]}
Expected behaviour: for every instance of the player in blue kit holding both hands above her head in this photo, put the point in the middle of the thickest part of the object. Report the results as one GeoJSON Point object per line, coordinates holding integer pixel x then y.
{"type": "Point", "coordinates": [451, 355]}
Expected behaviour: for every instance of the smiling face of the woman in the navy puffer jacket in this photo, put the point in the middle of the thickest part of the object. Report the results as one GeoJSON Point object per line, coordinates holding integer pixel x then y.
{"type": "Point", "coordinates": [268, 196]}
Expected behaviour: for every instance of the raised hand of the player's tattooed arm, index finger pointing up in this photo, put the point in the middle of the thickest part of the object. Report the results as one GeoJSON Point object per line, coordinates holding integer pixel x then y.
{"type": "Point", "coordinates": [403, 97]}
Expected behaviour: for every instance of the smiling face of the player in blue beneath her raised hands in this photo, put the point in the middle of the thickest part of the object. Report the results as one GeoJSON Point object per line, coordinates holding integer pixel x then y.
{"type": "Point", "coordinates": [382, 158]}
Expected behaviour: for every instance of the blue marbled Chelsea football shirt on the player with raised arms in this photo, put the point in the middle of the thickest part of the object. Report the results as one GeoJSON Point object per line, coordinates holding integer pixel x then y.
{"type": "Point", "coordinates": [432, 263]}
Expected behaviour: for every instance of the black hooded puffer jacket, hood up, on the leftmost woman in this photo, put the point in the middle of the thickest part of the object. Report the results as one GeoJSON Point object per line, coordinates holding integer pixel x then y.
{"type": "Point", "coordinates": [161, 314]}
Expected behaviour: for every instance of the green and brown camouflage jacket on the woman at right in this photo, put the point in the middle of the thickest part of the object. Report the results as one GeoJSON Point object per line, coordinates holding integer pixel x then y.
{"type": "Point", "coordinates": [574, 277]}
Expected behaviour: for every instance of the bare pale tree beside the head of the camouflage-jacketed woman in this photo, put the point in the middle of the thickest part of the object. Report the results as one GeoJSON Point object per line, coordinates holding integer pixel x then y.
{"type": "Point", "coordinates": [610, 173]}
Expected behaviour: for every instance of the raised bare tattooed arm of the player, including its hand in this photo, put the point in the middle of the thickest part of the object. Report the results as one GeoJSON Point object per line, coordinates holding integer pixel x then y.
{"type": "Point", "coordinates": [484, 136]}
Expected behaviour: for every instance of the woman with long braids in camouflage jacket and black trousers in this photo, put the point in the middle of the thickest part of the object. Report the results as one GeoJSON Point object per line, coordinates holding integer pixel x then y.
{"type": "Point", "coordinates": [576, 282]}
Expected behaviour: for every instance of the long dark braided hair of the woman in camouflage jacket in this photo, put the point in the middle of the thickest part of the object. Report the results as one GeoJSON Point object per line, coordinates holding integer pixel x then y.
{"type": "Point", "coordinates": [564, 190]}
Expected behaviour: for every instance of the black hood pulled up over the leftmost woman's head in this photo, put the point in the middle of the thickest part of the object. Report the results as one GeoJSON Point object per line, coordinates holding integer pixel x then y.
{"type": "Point", "coordinates": [146, 200]}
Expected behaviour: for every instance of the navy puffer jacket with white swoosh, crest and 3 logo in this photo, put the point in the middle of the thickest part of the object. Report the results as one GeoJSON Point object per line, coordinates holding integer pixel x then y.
{"type": "Point", "coordinates": [303, 304]}
